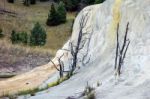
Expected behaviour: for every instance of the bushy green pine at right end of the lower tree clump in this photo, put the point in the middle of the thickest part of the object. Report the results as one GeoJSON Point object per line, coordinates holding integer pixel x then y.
{"type": "Point", "coordinates": [38, 35]}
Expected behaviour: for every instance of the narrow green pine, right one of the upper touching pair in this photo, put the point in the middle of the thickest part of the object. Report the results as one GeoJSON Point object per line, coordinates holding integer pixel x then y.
{"type": "Point", "coordinates": [62, 12]}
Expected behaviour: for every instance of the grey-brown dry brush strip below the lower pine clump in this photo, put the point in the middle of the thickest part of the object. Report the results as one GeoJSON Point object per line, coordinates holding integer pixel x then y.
{"type": "Point", "coordinates": [18, 59]}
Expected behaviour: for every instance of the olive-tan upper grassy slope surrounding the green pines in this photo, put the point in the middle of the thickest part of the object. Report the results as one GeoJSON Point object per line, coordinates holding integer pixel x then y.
{"type": "Point", "coordinates": [27, 16]}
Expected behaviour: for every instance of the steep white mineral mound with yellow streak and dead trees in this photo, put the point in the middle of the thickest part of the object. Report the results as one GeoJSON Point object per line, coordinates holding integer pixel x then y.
{"type": "Point", "coordinates": [101, 28]}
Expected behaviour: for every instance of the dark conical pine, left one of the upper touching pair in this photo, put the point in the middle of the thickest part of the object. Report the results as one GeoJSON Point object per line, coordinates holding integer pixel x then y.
{"type": "Point", "coordinates": [53, 17]}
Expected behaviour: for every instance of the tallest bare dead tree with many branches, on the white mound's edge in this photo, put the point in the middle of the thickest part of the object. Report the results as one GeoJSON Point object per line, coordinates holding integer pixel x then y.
{"type": "Point", "coordinates": [74, 49]}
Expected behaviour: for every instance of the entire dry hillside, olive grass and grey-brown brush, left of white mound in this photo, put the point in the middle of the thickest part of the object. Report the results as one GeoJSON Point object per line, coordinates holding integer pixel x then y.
{"type": "Point", "coordinates": [22, 58]}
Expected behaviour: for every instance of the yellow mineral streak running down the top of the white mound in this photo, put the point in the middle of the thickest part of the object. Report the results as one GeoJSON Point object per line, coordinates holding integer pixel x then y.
{"type": "Point", "coordinates": [115, 20]}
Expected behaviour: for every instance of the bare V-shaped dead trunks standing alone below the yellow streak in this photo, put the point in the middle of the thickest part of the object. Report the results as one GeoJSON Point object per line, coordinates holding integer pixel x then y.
{"type": "Point", "coordinates": [121, 51]}
